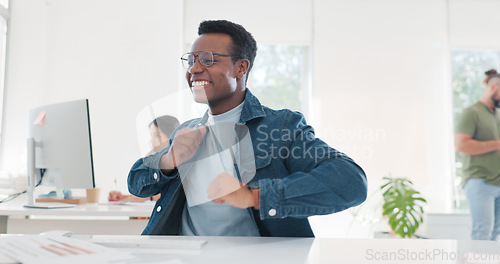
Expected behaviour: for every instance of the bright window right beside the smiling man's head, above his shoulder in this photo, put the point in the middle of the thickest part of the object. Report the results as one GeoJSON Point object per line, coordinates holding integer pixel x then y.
{"type": "Point", "coordinates": [279, 76]}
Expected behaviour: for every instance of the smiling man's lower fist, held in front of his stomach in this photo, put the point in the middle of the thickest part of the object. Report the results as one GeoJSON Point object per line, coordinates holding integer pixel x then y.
{"type": "Point", "coordinates": [227, 189]}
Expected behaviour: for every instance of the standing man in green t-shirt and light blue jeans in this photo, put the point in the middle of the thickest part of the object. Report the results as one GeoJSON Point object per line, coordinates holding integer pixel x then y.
{"type": "Point", "coordinates": [477, 136]}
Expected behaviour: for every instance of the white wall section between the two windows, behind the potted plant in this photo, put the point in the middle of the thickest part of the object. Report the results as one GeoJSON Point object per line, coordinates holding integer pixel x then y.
{"type": "Point", "coordinates": [383, 65]}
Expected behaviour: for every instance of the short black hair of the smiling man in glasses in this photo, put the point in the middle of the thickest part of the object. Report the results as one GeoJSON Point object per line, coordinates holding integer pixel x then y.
{"type": "Point", "coordinates": [244, 45]}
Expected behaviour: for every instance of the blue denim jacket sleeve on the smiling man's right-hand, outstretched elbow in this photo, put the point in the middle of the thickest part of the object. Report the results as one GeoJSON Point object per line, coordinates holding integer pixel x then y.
{"type": "Point", "coordinates": [321, 180]}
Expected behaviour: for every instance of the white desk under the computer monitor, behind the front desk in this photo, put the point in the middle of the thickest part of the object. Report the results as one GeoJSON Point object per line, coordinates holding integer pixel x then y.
{"type": "Point", "coordinates": [83, 219]}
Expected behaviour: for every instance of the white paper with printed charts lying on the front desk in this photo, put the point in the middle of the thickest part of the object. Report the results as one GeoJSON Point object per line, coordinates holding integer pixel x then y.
{"type": "Point", "coordinates": [57, 249]}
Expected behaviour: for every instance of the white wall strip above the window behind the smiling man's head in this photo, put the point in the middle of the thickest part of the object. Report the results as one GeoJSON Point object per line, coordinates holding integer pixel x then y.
{"type": "Point", "coordinates": [263, 18]}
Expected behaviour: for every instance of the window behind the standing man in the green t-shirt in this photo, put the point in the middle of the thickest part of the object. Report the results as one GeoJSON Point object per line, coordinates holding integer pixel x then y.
{"type": "Point", "coordinates": [468, 67]}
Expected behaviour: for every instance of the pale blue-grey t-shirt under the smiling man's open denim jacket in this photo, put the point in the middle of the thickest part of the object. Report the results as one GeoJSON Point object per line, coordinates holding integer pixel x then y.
{"type": "Point", "coordinates": [219, 154]}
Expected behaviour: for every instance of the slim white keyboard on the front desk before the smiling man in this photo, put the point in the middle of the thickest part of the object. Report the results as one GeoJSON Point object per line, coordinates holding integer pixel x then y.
{"type": "Point", "coordinates": [148, 242]}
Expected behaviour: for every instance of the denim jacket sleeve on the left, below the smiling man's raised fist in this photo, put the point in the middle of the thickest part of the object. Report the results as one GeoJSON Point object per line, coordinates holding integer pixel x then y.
{"type": "Point", "coordinates": [145, 178]}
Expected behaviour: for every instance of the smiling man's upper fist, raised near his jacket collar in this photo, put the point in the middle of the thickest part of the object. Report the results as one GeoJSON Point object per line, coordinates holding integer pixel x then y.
{"type": "Point", "coordinates": [183, 148]}
